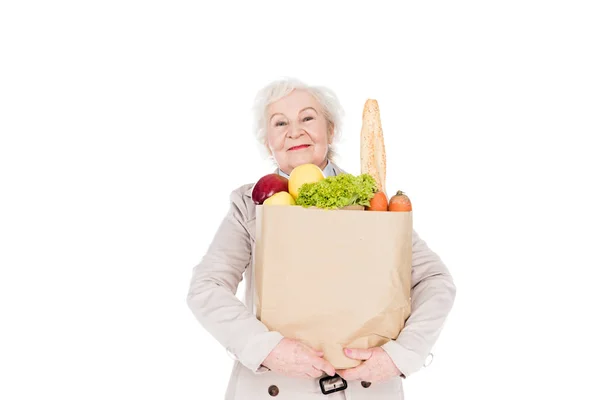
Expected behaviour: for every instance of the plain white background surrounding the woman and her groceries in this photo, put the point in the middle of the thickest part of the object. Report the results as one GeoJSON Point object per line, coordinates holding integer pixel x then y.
{"type": "Point", "coordinates": [125, 125]}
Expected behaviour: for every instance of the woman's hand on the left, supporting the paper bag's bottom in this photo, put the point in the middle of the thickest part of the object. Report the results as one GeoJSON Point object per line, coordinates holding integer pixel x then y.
{"type": "Point", "coordinates": [297, 360]}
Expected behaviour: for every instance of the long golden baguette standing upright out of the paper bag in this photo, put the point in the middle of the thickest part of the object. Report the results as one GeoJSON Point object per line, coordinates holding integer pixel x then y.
{"type": "Point", "coordinates": [372, 146]}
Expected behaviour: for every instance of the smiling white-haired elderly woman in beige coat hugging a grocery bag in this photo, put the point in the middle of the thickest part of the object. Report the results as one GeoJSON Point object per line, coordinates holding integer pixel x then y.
{"type": "Point", "coordinates": [297, 124]}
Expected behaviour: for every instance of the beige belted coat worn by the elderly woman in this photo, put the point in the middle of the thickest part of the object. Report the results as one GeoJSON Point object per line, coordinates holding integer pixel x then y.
{"type": "Point", "coordinates": [213, 302]}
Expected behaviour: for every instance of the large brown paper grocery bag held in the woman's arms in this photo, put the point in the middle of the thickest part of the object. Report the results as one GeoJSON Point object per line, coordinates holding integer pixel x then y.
{"type": "Point", "coordinates": [333, 278]}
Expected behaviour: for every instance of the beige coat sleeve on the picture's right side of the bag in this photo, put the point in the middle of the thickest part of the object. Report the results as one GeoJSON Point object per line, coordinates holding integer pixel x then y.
{"type": "Point", "coordinates": [432, 297]}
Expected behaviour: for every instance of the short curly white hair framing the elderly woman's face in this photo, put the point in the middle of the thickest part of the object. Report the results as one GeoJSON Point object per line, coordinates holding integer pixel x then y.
{"type": "Point", "coordinates": [280, 88]}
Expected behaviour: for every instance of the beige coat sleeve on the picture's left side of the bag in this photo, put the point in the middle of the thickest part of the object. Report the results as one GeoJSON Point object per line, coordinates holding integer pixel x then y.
{"type": "Point", "coordinates": [211, 296]}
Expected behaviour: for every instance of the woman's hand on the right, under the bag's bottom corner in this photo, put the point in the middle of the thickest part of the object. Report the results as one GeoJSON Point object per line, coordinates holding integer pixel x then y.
{"type": "Point", "coordinates": [376, 368]}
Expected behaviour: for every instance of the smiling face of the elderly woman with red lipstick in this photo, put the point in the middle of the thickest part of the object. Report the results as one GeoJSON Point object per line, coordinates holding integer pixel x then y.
{"type": "Point", "coordinates": [297, 131]}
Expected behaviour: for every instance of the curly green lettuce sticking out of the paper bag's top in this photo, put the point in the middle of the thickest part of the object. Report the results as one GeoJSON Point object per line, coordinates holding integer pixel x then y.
{"type": "Point", "coordinates": [338, 191]}
